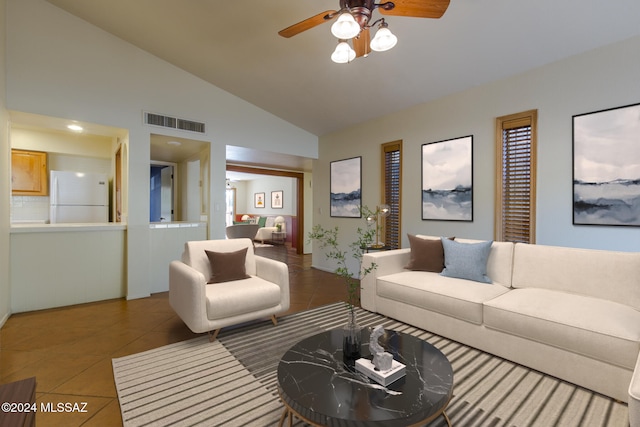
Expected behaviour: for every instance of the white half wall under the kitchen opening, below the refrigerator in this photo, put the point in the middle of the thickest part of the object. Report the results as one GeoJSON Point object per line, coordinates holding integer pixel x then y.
{"type": "Point", "coordinates": [56, 265]}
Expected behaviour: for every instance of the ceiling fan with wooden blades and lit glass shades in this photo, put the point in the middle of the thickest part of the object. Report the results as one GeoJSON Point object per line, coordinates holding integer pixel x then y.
{"type": "Point", "coordinates": [354, 22]}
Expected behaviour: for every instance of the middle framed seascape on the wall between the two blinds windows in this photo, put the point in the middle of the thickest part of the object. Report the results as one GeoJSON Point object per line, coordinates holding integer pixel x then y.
{"type": "Point", "coordinates": [447, 180]}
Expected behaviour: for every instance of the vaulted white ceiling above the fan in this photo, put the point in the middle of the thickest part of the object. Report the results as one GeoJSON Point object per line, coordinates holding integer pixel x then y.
{"type": "Point", "coordinates": [235, 46]}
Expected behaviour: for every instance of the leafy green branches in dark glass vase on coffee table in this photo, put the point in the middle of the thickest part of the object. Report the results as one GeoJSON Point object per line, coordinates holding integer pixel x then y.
{"type": "Point", "coordinates": [328, 241]}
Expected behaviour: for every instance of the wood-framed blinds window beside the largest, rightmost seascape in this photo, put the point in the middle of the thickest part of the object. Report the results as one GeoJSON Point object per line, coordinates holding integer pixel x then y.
{"type": "Point", "coordinates": [516, 178]}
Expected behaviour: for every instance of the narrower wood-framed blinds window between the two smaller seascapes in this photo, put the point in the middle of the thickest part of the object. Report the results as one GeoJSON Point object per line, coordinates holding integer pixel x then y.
{"type": "Point", "coordinates": [392, 190]}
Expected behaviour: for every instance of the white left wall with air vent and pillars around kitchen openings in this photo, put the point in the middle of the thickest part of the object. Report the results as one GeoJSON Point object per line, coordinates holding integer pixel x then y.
{"type": "Point", "coordinates": [58, 65]}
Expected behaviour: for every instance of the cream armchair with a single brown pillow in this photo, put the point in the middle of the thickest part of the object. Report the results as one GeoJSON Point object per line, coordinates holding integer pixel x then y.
{"type": "Point", "coordinates": [208, 307]}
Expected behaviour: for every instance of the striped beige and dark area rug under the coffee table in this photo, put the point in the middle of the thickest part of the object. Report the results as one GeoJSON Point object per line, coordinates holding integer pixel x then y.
{"type": "Point", "coordinates": [232, 382]}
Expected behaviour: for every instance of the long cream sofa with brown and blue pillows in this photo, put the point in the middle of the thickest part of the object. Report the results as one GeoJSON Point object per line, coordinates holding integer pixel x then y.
{"type": "Point", "coordinates": [571, 313]}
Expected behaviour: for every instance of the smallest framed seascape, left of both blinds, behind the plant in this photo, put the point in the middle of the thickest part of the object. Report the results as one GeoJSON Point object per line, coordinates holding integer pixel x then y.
{"type": "Point", "coordinates": [346, 188]}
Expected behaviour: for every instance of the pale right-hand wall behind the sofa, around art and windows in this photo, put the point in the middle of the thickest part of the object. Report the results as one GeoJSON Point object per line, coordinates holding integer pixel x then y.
{"type": "Point", "coordinates": [600, 79]}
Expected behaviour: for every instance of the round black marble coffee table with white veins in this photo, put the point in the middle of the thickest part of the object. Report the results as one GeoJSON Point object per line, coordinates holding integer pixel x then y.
{"type": "Point", "coordinates": [317, 387]}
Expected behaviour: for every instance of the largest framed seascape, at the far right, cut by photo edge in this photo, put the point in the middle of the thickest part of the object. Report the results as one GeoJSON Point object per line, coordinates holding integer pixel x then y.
{"type": "Point", "coordinates": [606, 167]}
